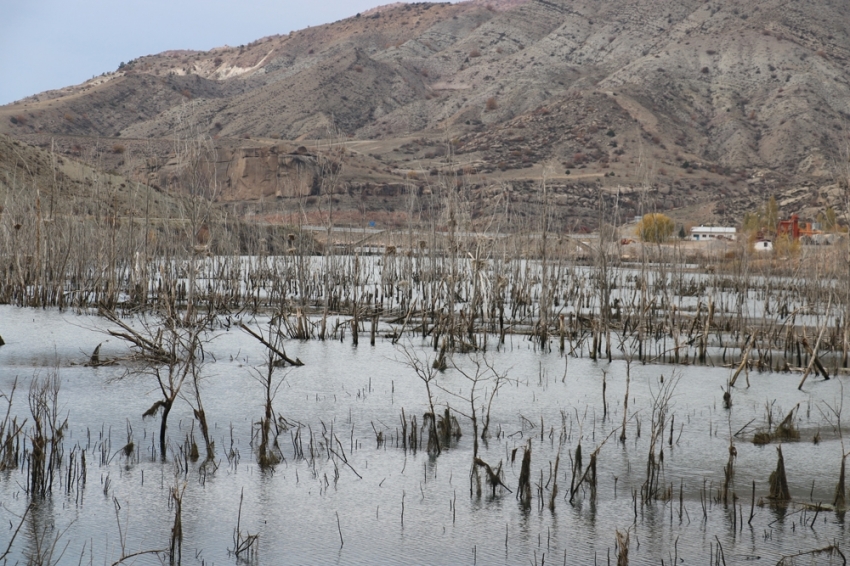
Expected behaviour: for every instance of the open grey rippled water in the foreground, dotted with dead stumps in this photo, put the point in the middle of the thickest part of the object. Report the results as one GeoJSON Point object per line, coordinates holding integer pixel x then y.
{"type": "Point", "coordinates": [357, 502]}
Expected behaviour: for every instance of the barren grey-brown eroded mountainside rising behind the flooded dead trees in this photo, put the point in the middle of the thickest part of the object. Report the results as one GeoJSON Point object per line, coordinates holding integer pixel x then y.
{"type": "Point", "coordinates": [706, 101]}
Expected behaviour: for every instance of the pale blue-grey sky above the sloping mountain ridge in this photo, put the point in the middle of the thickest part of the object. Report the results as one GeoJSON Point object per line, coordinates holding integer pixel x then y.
{"type": "Point", "coordinates": [47, 44]}
